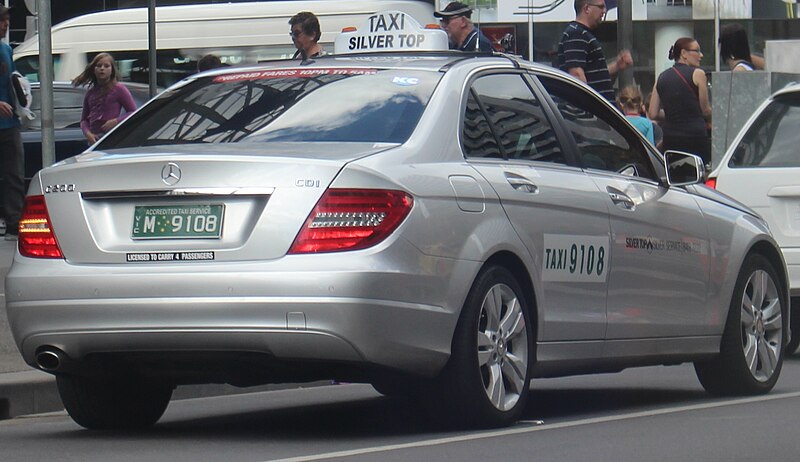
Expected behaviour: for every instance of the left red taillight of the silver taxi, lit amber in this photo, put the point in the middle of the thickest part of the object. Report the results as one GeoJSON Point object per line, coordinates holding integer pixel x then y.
{"type": "Point", "coordinates": [36, 237]}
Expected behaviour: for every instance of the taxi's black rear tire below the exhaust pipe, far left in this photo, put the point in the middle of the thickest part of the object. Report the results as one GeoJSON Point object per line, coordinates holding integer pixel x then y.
{"type": "Point", "coordinates": [113, 403]}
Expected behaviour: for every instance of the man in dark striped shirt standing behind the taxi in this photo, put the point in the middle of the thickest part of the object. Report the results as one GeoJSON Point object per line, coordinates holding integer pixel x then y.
{"type": "Point", "coordinates": [580, 53]}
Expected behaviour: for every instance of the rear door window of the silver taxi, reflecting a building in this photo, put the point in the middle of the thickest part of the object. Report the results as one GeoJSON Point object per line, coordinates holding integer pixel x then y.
{"type": "Point", "coordinates": [504, 119]}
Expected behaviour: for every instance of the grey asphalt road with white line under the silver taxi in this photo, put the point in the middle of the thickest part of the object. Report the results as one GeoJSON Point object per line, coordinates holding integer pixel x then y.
{"type": "Point", "coordinates": [647, 414]}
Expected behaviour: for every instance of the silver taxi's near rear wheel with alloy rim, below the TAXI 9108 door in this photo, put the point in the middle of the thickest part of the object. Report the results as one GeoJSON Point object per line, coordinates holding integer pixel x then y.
{"type": "Point", "coordinates": [486, 381]}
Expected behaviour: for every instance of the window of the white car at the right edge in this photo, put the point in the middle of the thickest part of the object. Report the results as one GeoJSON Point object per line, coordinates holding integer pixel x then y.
{"type": "Point", "coordinates": [772, 140]}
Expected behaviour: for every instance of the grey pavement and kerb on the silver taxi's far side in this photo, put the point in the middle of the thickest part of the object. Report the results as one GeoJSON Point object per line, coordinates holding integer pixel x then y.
{"type": "Point", "coordinates": [24, 390]}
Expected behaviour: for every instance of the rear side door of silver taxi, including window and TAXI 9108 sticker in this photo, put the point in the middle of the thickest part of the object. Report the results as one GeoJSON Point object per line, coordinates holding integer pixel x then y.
{"type": "Point", "coordinates": [554, 207]}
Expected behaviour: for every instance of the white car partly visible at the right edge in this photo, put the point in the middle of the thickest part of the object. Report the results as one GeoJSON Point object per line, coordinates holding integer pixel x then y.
{"type": "Point", "coordinates": [761, 169]}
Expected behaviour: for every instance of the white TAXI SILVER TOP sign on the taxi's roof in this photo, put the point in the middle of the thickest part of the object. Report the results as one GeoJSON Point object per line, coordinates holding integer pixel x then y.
{"type": "Point", "coordinates": [390, 31]}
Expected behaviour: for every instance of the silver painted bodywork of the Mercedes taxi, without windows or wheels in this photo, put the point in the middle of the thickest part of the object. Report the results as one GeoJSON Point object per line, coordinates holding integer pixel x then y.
{"type": "Point", "coordinates": [671, 262]}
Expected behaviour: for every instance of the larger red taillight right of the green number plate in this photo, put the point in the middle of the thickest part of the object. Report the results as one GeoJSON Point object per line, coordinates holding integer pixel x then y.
{"type": "Point", "coordinates": [352, 219]}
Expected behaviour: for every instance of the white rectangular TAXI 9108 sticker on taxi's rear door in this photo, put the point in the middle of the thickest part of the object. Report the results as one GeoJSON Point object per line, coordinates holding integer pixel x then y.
{"type": "Point", "coordinates": [572, 258]}
